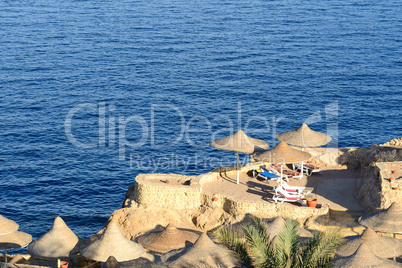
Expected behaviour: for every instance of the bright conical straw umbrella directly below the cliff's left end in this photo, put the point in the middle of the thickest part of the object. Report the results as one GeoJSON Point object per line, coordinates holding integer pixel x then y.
{"type": "Point", "coordinates": [113, 243]}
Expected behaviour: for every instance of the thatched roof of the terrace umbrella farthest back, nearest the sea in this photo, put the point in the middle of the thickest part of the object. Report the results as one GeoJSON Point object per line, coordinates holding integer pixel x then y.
{"type": "Point", "coordinates": [304, 137]}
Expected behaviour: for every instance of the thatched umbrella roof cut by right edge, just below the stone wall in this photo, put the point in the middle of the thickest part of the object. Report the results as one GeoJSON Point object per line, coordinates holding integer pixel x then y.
{"type": "Point", "coordinates": [386, 221]}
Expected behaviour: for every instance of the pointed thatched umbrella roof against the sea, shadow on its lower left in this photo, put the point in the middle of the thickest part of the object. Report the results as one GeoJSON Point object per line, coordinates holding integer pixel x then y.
{"type": "Point", "coordinates": [58, 242]}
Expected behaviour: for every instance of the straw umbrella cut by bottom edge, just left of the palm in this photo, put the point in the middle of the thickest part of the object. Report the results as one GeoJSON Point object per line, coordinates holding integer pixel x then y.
{"type": "Point", "coordinates": [203, 253]}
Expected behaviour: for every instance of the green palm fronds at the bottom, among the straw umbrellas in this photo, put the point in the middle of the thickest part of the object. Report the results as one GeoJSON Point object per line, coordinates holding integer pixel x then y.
{"type": "Point", "coordinates": [257, 249]}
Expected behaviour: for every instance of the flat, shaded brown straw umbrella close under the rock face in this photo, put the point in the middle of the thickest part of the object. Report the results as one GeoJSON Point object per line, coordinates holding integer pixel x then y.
{"type": "Point", "coordinates": [169, 239]}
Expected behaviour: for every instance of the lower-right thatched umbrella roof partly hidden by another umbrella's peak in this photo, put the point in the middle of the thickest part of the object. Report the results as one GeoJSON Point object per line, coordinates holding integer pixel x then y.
{"type": "Point", "coordinates": [384, 247]}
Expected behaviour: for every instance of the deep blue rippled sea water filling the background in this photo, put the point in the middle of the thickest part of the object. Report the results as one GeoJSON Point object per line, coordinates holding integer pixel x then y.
{"type": "Point", "coordinates": [95, 92]}
